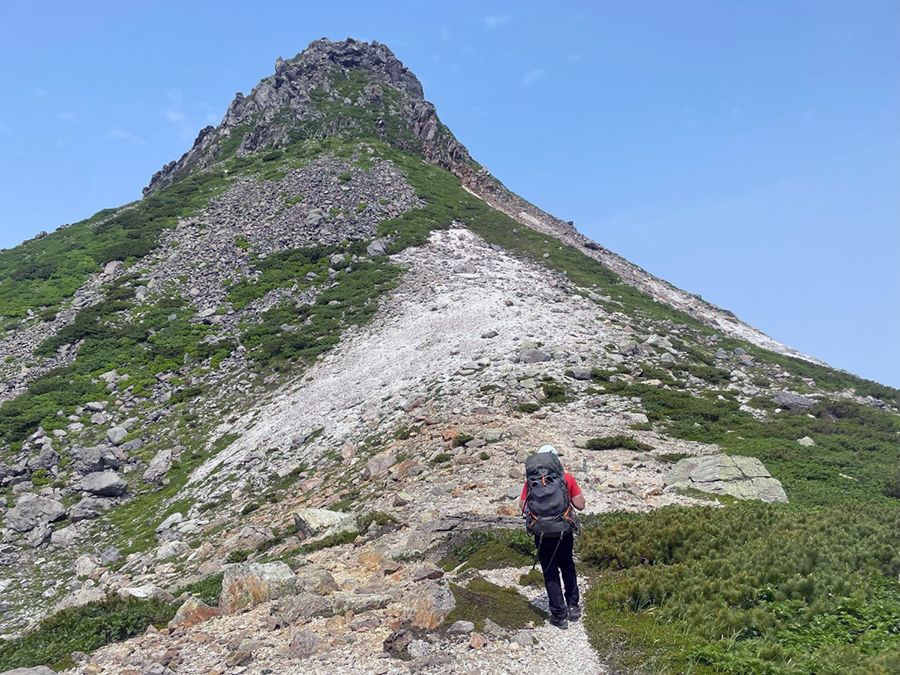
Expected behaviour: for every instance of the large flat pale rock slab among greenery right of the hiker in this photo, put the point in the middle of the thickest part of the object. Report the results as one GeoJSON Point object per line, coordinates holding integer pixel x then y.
{"type": "Point", "coordinates": [739, 477]}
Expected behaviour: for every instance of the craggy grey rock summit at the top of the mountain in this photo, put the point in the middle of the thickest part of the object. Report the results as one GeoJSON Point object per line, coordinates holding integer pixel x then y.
{"type": "Point", "coordinates": [346, 89]}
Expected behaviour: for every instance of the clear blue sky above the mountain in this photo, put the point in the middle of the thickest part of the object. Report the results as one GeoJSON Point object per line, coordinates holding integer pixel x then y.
{"type": "Point", "coordinates": [746, 151]}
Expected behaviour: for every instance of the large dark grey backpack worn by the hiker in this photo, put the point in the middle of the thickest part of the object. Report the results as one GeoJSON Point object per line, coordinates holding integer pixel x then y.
{"type": "Point", "coordinates": [549, 511]}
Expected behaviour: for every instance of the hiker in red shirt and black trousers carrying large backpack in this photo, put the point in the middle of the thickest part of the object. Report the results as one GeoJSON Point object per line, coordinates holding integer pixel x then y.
{"type": "Point", "coordinates": [547, 501]}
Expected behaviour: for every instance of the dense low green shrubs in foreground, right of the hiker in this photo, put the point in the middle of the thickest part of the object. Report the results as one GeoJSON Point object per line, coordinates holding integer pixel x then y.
{"type": "Point", "coordinates": [748, 588]}
